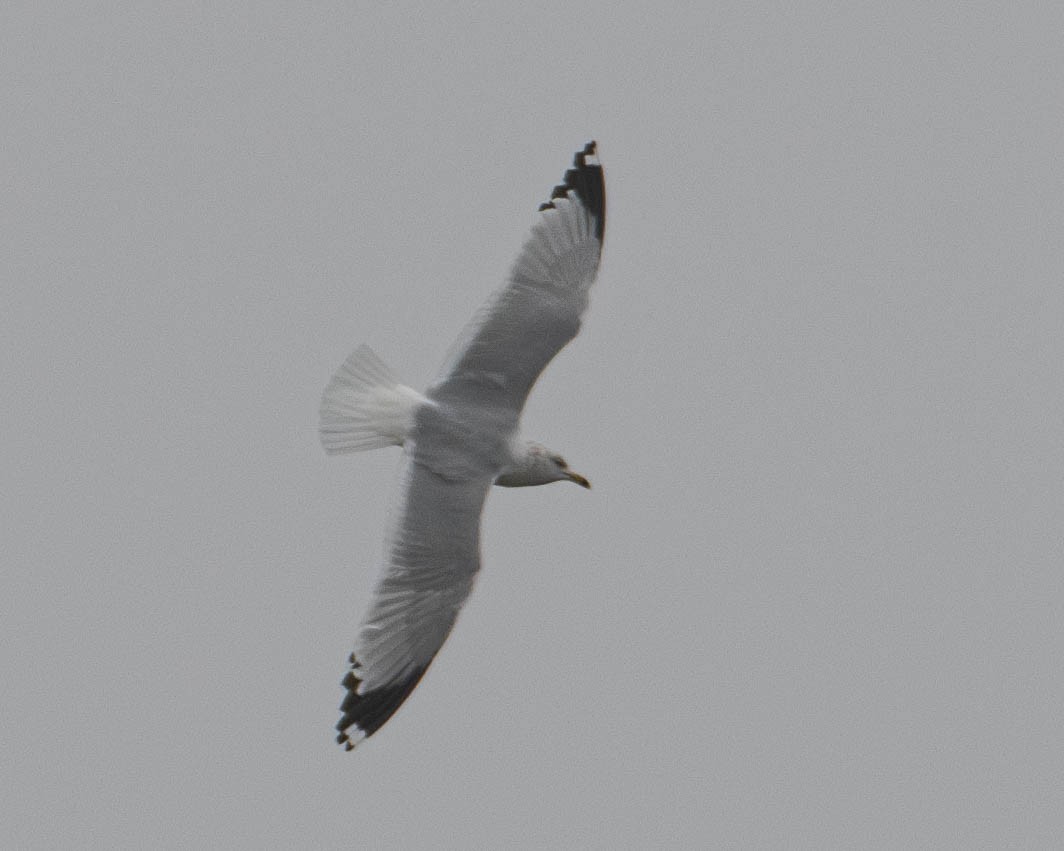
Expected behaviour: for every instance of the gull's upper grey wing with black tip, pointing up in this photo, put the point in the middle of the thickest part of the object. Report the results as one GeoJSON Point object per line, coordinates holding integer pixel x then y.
{"type": "Point", "coordinates": [538, 311]}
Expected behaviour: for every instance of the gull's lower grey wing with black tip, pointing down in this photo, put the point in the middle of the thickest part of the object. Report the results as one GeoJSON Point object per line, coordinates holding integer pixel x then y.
{"type": "Point", "coordinates": [433, 558]}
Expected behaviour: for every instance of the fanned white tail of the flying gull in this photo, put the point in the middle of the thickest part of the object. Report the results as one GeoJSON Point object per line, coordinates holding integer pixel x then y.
{"type": "Point", "coordinates": [364, 407]}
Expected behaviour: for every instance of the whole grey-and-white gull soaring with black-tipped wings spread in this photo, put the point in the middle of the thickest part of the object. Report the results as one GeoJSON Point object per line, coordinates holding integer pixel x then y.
{"type": "Point", "coordinates": [459, 438]}
